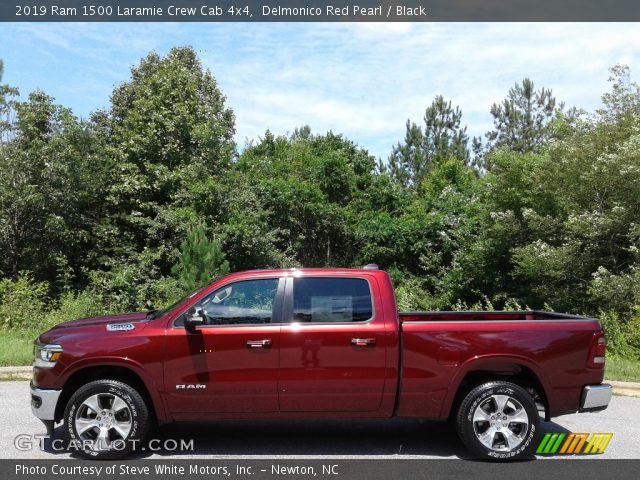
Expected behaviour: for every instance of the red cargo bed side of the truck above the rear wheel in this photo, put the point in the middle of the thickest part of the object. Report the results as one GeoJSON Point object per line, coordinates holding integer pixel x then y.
{"type": "Point", "coordinates": [440, 348]}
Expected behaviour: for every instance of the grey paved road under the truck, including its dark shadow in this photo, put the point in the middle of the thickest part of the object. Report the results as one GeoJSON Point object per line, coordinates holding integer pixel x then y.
{"type": "Point", "coordinates": [337, 439]}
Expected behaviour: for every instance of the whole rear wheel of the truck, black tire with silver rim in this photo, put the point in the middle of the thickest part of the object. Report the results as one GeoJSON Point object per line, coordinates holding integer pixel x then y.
{"type": "Point", "coordinates": [503, 437]}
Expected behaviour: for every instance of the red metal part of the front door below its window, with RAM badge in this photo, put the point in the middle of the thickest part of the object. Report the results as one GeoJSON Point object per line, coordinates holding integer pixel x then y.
{"type": "Point", "coordinates": [236, 377]}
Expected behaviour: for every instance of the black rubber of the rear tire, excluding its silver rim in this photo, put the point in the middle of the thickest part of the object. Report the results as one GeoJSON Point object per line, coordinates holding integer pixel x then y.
{"type": "Point", "coordinates": [480, 394]}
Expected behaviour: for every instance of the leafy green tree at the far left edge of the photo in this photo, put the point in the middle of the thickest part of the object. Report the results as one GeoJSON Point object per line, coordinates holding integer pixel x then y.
{"type": "Point", "coordinates": [50, 187]}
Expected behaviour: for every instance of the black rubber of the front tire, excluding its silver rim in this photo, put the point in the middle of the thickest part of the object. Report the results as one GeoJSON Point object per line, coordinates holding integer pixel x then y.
{"type": "Point", "coordinates": [135, 405]}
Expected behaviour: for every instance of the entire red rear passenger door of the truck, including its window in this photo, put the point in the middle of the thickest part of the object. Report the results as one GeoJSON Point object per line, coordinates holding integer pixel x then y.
{"type": "Point", "coordinates": [327, 363]}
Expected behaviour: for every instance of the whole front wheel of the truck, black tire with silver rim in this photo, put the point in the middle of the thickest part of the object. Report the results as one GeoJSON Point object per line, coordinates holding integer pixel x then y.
{"type": "Point", "coordinates": [117, 427]}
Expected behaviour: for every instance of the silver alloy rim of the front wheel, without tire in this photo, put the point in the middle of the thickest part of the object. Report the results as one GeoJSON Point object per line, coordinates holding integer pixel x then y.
{"type": "Point", "coordinates": [102, 421]}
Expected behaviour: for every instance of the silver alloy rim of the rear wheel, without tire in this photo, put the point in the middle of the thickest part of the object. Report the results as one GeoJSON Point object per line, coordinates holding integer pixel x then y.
{"type": "Point", "coordinates": [500, 422]}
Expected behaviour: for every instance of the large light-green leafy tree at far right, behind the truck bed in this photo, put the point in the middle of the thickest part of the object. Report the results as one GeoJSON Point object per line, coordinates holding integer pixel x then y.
{"type": "Point", "coordinates": [560, 227]}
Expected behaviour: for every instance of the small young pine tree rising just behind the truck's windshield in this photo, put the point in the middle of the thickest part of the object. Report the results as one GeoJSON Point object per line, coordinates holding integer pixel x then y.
{"type": "Point", "coordinates": [201, 260]}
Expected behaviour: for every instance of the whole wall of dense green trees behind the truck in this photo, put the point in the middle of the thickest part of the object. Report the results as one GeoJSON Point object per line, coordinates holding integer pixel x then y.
{"type": "Point", "coordinates": [151, 198]}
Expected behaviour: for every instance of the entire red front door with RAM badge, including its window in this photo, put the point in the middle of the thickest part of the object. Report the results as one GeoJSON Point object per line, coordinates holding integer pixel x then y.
{"type": "Point", "coordinates": [231, 364]}
